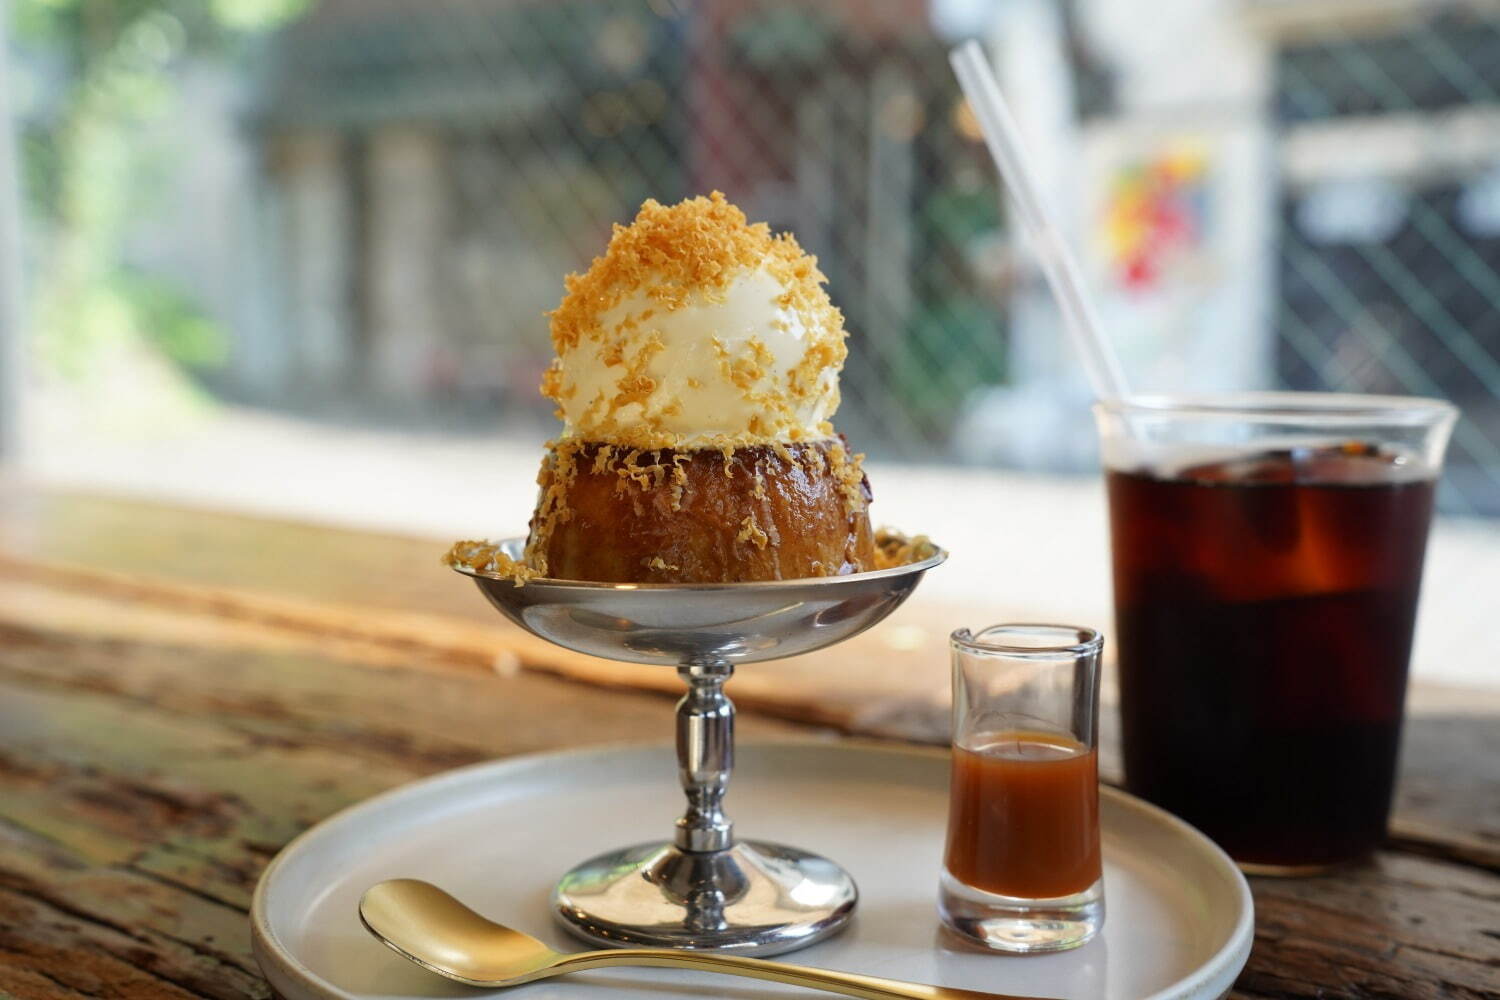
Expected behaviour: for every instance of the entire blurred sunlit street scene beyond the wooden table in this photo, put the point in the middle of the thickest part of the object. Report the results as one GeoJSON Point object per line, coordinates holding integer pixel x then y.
{"type": "Point", "coordinates": [293, 256]}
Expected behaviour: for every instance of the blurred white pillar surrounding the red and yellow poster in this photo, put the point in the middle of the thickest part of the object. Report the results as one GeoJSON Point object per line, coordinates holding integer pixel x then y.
{"type": "Point", "coordinates": [1196, 73]}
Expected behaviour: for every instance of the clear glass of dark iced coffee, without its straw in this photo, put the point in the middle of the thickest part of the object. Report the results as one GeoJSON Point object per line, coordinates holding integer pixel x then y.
{"type": "Point", "coordinates": [1268, 554]}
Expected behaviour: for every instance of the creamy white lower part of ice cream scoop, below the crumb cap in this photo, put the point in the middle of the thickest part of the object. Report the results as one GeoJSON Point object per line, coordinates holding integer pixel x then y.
{"type": "Point", "coordinates": [721, 367]}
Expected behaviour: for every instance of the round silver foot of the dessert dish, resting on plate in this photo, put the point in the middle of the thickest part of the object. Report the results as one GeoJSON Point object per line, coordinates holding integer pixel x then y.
{"type": "Point", "coordinates": [754, 899]}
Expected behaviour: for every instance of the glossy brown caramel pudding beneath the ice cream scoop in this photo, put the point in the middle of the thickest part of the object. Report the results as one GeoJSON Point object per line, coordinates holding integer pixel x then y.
{"type": "Point", "coordinates": [701, 516]}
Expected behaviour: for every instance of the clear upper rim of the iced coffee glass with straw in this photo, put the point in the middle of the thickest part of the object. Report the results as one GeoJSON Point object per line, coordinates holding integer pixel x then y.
{"type": "Point", "coordinates": [1285, 406]}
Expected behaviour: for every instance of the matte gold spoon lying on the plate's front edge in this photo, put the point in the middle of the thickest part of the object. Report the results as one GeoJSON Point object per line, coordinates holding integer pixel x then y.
{"type": "Point", "coordinates": [434, 930]}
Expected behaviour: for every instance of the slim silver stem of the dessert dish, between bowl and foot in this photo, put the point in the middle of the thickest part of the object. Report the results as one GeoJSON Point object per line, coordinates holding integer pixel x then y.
{"type": "Point", "coordinates": [706, 755]}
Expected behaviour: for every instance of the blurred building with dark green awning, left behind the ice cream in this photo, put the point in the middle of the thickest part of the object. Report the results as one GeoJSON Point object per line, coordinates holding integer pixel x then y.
{"type": "Point", "coordinates": [433, 175]}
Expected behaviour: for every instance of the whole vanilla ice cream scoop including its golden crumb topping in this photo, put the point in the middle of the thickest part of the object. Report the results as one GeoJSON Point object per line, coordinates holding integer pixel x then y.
{"type": "Point", "coordinates": [697, 331]}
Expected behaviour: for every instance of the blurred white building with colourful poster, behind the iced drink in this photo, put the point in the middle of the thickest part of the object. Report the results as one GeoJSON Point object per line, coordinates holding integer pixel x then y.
{"type": "Point", "coordinates": [1274, 194]}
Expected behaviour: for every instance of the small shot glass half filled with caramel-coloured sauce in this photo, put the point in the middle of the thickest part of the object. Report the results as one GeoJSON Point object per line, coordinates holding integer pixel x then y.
{"type": "Point", "coordinates": [1022, 870]}
